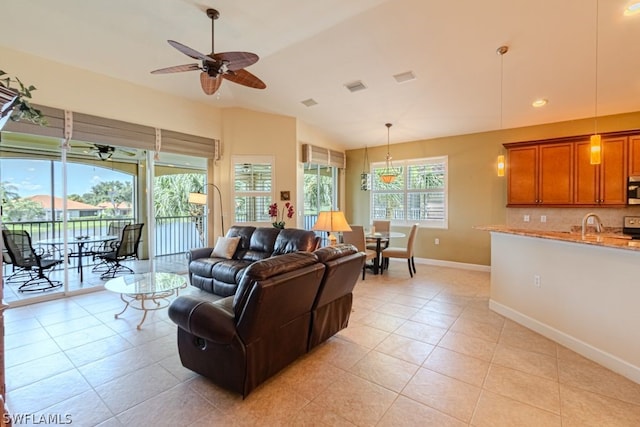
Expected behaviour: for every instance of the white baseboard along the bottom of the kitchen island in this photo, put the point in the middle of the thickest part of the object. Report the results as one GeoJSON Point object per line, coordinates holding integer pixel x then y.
{"type": "Point", "coordinates": [590, 352]}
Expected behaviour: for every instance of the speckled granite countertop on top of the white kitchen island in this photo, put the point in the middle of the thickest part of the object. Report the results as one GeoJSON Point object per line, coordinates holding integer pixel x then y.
{"type": "Point", "coordinates": [605, 239]}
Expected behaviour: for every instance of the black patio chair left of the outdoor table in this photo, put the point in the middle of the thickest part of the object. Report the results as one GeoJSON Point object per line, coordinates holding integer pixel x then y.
{"type": "Point", "coordinates": [31, 265]}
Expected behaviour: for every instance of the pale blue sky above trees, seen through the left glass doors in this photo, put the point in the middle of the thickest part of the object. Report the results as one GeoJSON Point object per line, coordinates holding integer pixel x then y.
{"type": "Point", "coordinates": [32, 177]}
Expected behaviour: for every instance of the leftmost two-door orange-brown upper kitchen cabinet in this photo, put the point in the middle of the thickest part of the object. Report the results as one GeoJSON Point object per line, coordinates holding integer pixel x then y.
{"type": "Point", "coordinates": [540, 174]}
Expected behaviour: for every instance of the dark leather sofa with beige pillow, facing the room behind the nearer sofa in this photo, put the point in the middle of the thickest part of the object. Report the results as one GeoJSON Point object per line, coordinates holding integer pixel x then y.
{"type": "Point", "coordinates": [221, 276]}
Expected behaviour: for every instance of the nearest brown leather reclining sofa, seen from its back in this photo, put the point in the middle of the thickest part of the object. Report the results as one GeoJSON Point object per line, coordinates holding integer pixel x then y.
{"type": "Point", "coordinates": [283, 304]}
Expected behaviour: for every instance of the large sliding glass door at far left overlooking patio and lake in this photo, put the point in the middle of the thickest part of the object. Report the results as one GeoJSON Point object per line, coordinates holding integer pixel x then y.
{"type": "Point", "coordinates": [71, 204]}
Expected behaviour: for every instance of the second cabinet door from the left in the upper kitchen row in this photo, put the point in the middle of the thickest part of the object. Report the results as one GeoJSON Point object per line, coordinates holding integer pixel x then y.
{"type": "Point", "coordinates": [555, 174]}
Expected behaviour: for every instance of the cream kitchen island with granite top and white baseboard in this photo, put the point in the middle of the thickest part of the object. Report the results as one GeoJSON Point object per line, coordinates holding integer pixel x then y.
{"type": "Point", "coordinates": [582, 292]}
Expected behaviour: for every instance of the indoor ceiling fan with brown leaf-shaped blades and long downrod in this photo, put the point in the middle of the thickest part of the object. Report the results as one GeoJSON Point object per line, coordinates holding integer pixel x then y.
{"type": "Point", "coordinates": [217, 66]}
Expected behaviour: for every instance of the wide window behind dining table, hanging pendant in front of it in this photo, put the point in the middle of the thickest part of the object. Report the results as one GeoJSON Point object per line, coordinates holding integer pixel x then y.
{"type": "Point", "coordinates": [417, 195]}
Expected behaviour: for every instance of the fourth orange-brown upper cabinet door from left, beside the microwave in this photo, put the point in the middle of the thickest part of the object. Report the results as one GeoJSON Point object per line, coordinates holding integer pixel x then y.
{"type": "Point", "coordinates": [613, 171]}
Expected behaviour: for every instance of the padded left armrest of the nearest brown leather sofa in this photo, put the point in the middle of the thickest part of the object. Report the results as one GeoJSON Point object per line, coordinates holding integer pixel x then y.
{"type": "Point", "coordinates": [213, 321]}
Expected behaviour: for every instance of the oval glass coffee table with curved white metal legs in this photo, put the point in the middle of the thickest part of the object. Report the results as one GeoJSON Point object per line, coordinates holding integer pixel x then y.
{"type": "Point", "coordinates": [146, 291]}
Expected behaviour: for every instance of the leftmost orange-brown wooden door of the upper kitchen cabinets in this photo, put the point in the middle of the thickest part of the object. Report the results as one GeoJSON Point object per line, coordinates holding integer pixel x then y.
{"type": "Point", "coordinates": [521, 175]}
